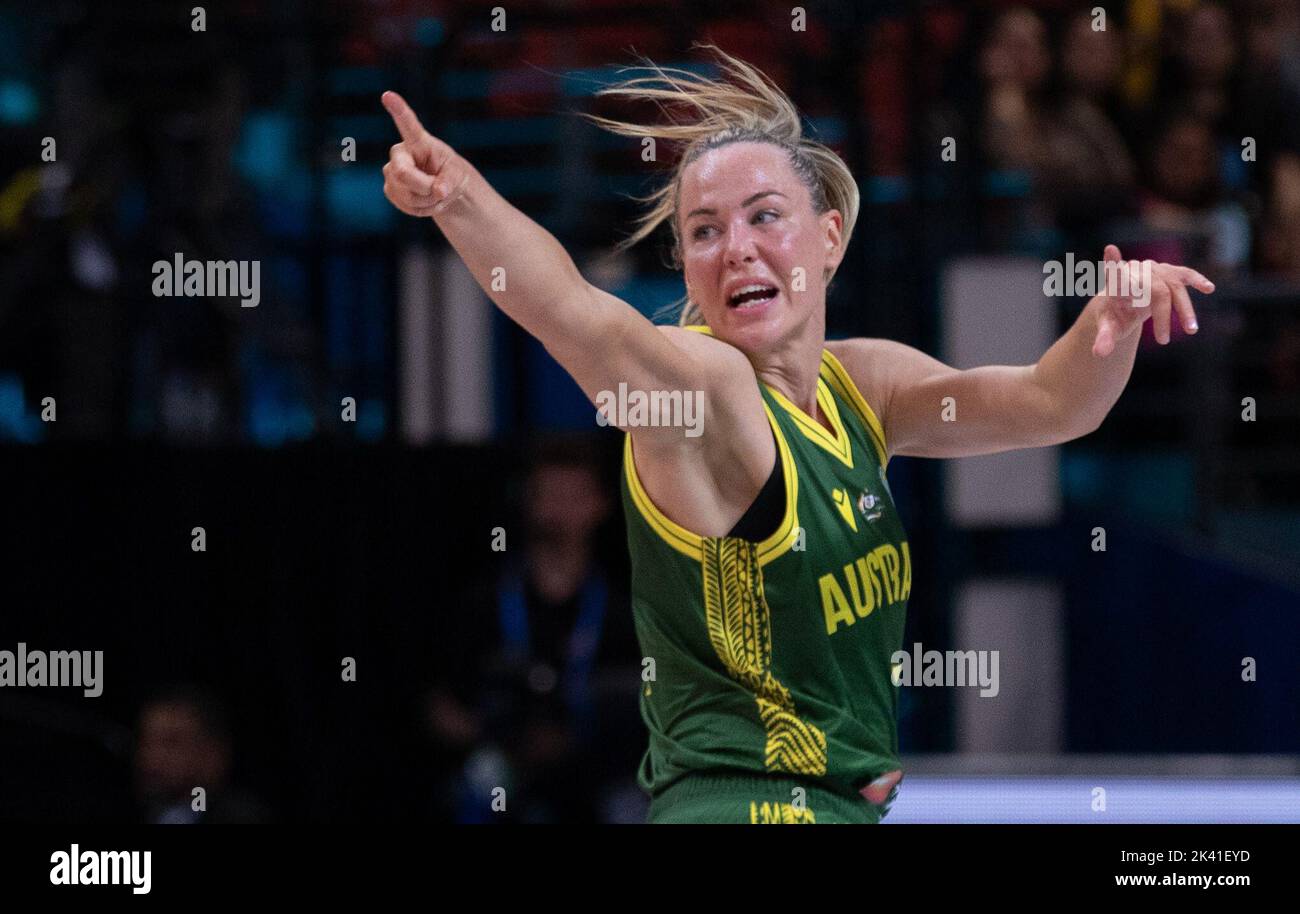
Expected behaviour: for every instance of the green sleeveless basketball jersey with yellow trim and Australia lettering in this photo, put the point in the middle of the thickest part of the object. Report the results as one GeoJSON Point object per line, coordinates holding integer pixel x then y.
{"type": "Point", "coordinates": [775, 656]}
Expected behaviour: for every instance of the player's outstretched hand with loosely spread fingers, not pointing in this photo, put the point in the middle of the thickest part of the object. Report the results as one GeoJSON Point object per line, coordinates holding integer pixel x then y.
{"type": "Point", "coordinates": [1152, 291]}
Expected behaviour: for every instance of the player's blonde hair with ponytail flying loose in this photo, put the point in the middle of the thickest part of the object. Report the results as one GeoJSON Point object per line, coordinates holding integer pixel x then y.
{"type": "Point", "coordinates": [746, 107]}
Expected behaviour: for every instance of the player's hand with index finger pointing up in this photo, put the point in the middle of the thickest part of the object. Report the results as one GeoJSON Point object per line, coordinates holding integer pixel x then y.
{"type": "Point", "coordinates": [423, 176]}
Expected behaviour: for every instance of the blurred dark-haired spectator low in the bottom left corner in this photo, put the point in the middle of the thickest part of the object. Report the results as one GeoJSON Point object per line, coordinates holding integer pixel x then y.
{"type": "Point", "coordinates": [184, 743]}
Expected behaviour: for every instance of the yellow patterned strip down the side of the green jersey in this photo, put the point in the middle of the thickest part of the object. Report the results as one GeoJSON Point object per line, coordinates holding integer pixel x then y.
{"type": "Point", "coordinates": [740, 630]}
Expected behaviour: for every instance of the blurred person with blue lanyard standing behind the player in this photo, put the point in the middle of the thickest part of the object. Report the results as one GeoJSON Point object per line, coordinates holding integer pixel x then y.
{"type": "Point", "coordinates": [538, 691]}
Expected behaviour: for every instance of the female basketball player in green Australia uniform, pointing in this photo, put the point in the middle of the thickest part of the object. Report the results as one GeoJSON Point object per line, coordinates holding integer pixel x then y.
{"type": "Point", "coordinates": [770, 573]}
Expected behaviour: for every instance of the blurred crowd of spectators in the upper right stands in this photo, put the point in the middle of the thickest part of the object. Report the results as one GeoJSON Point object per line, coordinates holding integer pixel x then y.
{"type": "Point", "coordinates": [1176, 125]}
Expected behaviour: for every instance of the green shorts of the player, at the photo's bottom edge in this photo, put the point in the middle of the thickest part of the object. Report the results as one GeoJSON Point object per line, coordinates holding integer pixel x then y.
{"type": "Point", "coordinates": [720, 799]}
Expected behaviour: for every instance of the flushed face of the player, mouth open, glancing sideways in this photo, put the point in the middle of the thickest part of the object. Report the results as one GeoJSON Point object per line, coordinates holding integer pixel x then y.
{"type": "Point", "coordinates": [747, 220]}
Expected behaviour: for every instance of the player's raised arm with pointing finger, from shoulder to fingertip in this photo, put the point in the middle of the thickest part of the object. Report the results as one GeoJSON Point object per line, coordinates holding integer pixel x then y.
{"type": "Point", "coordinates": [600, 340]}
